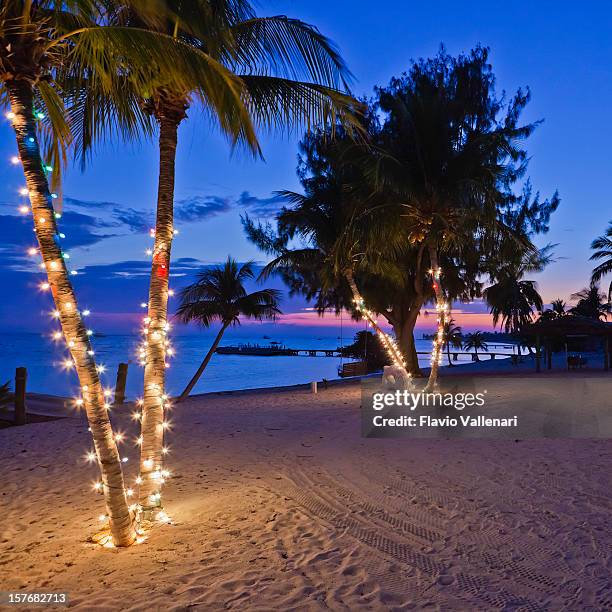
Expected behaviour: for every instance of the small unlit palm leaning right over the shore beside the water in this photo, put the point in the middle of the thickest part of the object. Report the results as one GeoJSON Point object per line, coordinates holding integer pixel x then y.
{"type": "Point", "coordinates": [219, 295]}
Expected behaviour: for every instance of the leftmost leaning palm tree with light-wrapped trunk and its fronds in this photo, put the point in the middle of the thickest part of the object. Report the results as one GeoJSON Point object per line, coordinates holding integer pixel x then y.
{"type": "Point", "coordinates": [47, 51]}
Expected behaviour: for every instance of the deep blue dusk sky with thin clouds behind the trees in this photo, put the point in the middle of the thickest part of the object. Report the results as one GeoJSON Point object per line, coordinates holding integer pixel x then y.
{"type": "Point", "coordinates": [561, 50]}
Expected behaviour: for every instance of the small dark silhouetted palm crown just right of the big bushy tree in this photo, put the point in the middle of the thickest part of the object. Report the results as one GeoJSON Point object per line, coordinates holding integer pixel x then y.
{"type": "Point", "coordinates": [511, 299]}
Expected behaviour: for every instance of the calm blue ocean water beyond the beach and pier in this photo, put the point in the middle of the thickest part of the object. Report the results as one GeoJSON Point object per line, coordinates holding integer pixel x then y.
{"type": "Point", "coordinates": [43, 359]}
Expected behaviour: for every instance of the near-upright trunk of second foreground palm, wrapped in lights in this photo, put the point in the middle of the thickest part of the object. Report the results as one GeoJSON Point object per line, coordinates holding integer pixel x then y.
{"type": "Point", "coordinates": [152, 428]}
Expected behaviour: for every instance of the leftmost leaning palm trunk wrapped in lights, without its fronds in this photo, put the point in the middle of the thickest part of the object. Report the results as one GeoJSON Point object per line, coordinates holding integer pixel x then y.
{"type": "Point", "coordinates": [73, 328]}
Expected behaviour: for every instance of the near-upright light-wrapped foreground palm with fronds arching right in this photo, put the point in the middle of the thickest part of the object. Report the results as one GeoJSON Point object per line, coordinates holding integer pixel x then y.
{"type": "Point", "coordinates": [281, 72]}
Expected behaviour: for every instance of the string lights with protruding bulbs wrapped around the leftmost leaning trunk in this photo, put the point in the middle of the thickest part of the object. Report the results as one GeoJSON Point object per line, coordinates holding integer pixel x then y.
{"type": "Point", "coordinates": [42, 204]}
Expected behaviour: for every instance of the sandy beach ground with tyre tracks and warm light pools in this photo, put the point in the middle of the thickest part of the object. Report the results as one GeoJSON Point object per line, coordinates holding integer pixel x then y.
{"type": "Point", "coordinates": [279, 504]}
